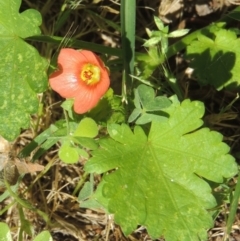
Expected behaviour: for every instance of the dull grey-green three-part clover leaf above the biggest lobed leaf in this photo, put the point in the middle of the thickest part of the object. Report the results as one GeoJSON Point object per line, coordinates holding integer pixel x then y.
{"type": "Point", "coordinates": [147, 105]}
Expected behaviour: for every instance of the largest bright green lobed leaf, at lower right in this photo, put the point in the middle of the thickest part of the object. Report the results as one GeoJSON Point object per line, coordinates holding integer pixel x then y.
{"type": "Point", "coordinates": [158, 180]}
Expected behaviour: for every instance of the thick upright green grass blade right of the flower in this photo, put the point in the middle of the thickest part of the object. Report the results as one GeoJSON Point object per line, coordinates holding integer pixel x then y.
{"type": "Point", "coordinates": [128, 22]}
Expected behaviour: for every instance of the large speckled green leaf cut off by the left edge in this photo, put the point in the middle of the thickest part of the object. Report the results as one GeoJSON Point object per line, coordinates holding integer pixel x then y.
{"type": "Point", "coordinates": [22, 69]}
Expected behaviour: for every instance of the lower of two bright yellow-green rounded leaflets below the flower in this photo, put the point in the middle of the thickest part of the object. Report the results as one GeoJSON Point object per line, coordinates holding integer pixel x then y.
{"type": "Point", "coordinates": [68, 154]}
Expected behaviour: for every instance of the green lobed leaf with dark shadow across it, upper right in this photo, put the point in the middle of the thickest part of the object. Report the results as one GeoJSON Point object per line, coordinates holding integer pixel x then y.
{"type": "Point", "coordinates": [216, 61]}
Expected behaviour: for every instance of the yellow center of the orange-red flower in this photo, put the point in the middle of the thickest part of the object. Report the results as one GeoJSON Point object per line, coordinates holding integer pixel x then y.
{"type": "Point", "coordinates": [90, 74]}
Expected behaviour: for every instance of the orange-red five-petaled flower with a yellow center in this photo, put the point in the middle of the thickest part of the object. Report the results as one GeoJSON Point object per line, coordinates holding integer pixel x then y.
{"type": "Point", "coordinates": [81, 75]}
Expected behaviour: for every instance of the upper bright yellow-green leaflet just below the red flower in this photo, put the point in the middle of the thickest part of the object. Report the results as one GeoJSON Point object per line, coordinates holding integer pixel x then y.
{"type": "Point", "coordinates": [87, 128]}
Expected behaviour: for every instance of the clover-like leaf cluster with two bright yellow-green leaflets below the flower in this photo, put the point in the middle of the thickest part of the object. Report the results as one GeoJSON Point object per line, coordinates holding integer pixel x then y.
{"type": "Point", "coordinates": [74, 138]}
